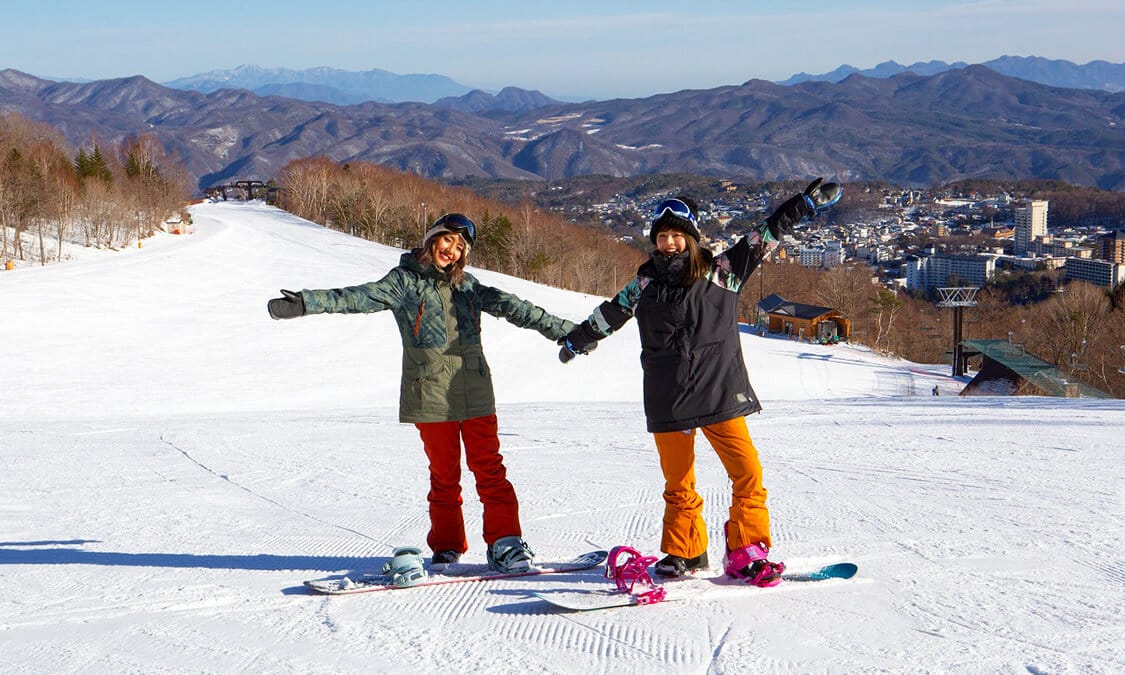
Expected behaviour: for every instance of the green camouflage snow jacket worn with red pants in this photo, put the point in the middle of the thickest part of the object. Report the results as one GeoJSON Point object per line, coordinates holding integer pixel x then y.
{"type": "Point", "coordinates": [445, 374]}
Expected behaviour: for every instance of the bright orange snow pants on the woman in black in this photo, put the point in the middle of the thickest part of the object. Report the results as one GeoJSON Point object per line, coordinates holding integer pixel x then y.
{"type": "Point", "coordinates": [685, 529]}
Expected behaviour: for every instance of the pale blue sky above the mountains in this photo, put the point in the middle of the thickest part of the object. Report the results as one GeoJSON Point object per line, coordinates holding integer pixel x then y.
{"type": "Point", "coordinates": [575, 49]}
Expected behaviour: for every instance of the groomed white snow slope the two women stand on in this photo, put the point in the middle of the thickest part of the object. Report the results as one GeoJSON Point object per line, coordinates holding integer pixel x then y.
{"type": "Point", "coordinates": [174, 464]}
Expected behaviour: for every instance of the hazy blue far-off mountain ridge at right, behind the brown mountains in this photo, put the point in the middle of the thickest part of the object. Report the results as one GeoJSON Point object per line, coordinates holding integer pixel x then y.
{"type": "Point", "coordinates": [1095, 75]}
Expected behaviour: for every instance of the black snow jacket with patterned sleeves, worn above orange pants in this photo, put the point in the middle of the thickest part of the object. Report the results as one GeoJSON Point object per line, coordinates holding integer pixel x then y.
{"type": "Point", "coordinates": [691, 353]}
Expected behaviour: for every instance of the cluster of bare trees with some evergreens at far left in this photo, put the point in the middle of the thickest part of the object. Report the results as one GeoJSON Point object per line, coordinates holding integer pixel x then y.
{"type": "Point", "coordinates": [100, 196]}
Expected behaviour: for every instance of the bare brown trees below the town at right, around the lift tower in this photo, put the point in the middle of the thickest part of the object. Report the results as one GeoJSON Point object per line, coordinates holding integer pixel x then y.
{"type": "Point", "coordinates": [1079, 329]}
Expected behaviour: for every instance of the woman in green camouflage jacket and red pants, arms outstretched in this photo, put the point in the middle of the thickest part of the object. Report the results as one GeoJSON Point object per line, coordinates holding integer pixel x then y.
{"type": "Point", "coordinates": [447, 391]}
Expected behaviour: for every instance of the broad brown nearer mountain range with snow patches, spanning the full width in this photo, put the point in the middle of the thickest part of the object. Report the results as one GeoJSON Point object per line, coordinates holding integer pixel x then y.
{"type": "Point", "coordinates": [906, 129]}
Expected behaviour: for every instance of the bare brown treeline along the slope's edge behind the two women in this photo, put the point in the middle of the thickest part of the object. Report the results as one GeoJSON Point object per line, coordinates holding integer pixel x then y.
{"type": "Point", "coordinates": [397, 209]}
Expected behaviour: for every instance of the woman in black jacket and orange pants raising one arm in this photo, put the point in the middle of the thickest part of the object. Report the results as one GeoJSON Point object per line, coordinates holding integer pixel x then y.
{"type": "Point", "coordinates": [687, 307]}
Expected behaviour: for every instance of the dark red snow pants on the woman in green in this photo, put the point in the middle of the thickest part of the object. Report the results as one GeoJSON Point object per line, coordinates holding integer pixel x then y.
{"type": "Point", "coordinates": [443, 442]}
